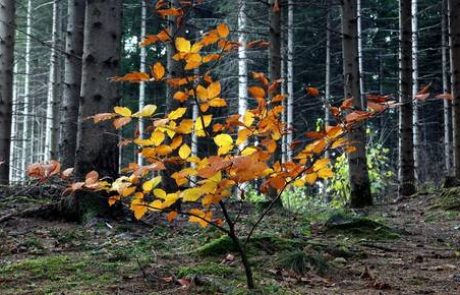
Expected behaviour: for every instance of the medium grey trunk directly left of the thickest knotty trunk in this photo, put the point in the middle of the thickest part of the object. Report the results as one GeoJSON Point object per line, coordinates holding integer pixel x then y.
{"type": "Point", "coordinates": [72, 82]}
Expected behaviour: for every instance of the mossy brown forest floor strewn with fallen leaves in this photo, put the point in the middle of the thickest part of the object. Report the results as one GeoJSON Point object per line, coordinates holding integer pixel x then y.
{"type": "Point", "coordinates": [412, 248]}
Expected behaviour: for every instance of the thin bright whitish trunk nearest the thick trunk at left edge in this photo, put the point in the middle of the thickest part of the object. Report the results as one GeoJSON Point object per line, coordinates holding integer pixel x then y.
{"type": "Point", "coordinates": [26, 132]}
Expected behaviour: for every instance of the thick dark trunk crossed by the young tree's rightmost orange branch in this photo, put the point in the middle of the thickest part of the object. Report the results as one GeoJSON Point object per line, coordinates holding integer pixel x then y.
{"type": "Point", "coordinates": [360, 193]}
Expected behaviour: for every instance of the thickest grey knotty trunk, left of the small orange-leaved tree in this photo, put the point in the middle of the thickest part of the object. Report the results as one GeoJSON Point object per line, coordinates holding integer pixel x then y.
{"type": "Point", "coordinates": [97, 144]}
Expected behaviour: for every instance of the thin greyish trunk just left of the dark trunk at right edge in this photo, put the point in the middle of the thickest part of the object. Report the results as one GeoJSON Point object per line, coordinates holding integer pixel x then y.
{"type": "Point", "coordinates": [445, 88]}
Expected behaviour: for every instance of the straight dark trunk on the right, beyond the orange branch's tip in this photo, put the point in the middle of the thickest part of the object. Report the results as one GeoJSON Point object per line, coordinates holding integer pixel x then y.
{"type": "Point", "coordinates": [406, 144]}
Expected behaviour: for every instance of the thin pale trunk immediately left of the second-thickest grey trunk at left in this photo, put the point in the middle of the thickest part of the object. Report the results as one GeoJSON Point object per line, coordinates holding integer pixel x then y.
{"type": "Point", "coordinates": [54, 84]}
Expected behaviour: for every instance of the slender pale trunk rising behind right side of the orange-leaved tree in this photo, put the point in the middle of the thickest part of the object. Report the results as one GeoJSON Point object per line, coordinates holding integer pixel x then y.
{"type": "Point", "coordinates": [290, 79]}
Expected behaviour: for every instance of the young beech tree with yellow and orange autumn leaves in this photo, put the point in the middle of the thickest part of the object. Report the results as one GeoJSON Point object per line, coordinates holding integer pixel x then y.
{"type": "Point", "coordinates": [205, 184]}
